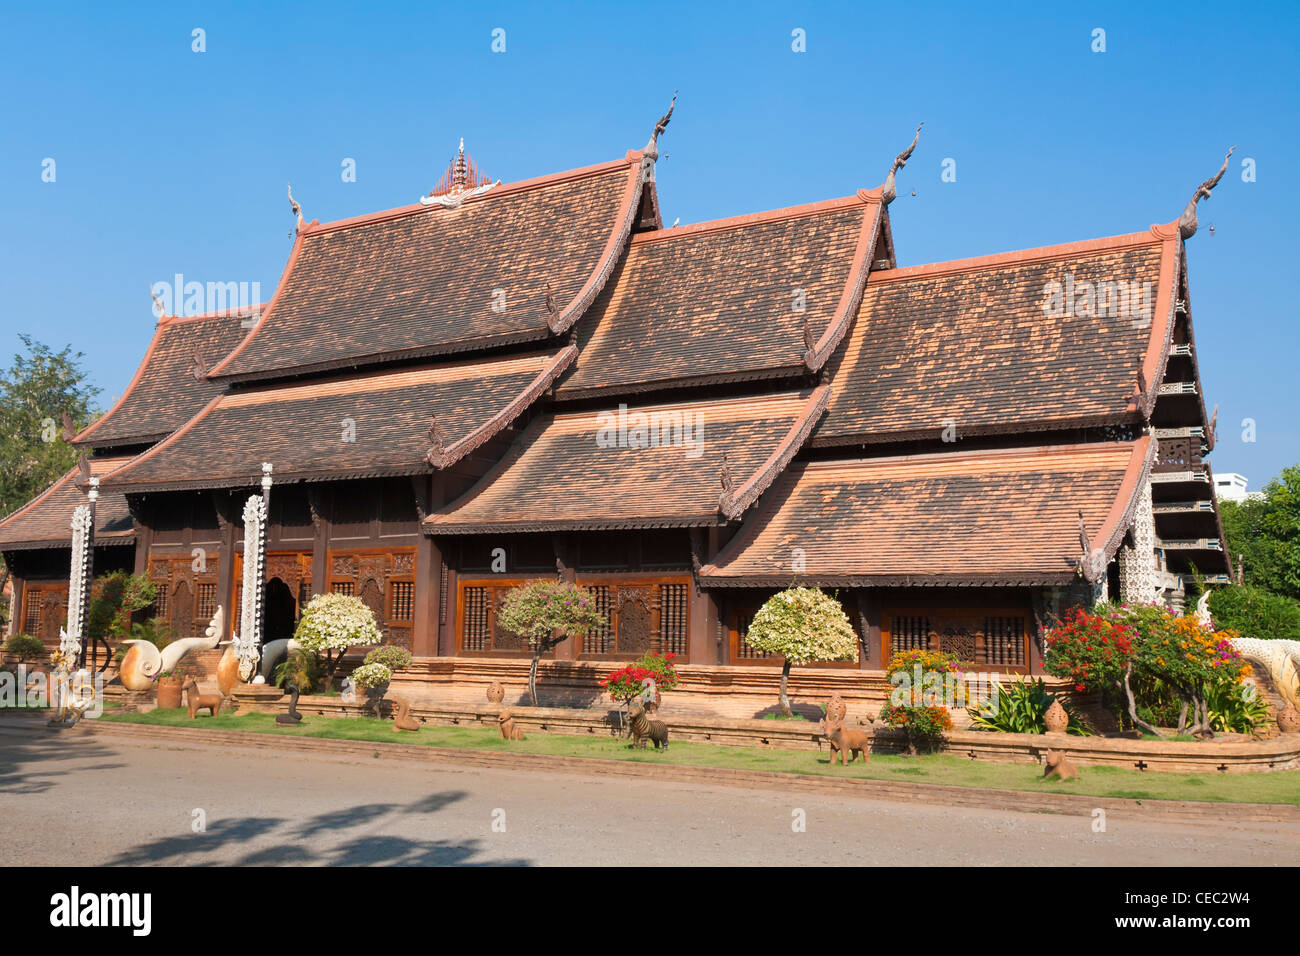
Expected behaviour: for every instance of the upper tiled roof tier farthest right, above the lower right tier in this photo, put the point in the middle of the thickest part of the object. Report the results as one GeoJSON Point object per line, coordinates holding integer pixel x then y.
{"type": "Point", "coordinates": [972, 344]}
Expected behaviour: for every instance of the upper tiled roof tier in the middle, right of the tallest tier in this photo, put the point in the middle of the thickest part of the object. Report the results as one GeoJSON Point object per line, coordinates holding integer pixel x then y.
{"type": "Point", "coordinates": [730, 300]}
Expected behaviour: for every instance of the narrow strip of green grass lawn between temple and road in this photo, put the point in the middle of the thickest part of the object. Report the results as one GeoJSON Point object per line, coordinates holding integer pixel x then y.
{"type": "Point", "coordinates": [1281, 788]}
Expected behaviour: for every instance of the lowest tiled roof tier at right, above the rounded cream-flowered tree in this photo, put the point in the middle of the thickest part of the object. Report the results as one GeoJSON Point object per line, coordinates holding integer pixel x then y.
{"type": "Point", "coordinates": [996, 518]}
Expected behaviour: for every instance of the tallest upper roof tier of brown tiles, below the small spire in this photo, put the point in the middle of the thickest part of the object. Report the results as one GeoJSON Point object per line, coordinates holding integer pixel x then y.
{"type": "Point", "coordinates": [424, 282]}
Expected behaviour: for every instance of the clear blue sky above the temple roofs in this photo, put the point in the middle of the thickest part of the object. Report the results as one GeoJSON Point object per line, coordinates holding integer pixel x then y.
{"type": "Point", "coordinates": [168, 161]}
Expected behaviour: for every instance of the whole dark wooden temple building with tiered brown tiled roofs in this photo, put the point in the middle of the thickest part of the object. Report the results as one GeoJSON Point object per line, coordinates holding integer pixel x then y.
{"type": "Point", "coordinates": [517, 380]}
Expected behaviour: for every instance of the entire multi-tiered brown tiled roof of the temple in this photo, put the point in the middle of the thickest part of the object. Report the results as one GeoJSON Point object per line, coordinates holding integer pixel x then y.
{"type": "Point", "coordinates": [954, 423]}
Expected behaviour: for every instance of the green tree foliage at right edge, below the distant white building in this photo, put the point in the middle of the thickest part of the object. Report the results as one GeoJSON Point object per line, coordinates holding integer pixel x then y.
{"type": "Point", "coordinates": [1266, 535]}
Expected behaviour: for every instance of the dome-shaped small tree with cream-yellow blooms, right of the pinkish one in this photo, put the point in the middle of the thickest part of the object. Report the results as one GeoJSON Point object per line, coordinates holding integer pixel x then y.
{"type": "Point", "coordinates": [803, 625]}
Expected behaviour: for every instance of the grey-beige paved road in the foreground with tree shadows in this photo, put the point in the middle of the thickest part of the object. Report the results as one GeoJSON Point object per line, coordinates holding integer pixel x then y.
{"type": "Point", "coordinates": [136, 803]}
